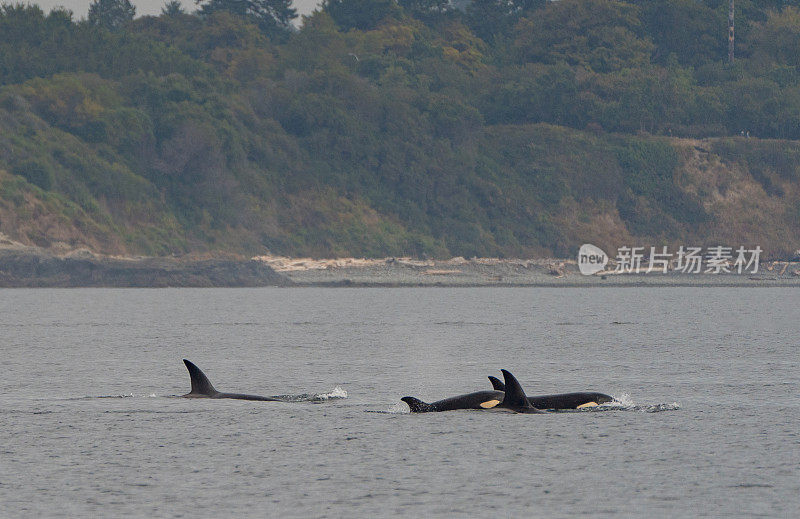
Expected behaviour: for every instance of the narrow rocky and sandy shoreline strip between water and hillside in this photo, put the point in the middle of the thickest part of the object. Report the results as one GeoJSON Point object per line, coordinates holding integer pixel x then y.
{"type": "Point", "coordinates": [23, 266]}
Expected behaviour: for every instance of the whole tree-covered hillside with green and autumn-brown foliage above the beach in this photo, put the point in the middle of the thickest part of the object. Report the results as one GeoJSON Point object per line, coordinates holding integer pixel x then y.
{"type": "Point", "coordinates": [409, 127]}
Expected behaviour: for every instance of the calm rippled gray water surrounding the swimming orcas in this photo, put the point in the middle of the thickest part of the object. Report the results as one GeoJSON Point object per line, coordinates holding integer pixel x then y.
{"type": "Point", "coordinates": [707, 425]}
